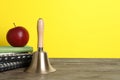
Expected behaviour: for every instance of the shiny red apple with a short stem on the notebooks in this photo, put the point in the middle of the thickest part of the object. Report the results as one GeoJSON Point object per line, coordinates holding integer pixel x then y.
{"type": "Point", "coordinates": [17, 36]}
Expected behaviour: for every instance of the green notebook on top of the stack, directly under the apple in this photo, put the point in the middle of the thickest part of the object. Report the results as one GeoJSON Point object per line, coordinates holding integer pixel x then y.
{"type": "Point", "coordinates": [10, 49]}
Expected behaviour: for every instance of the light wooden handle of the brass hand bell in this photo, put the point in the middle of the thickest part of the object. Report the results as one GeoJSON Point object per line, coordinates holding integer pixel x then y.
{"type": "Point", "coordinates": [40, 30]}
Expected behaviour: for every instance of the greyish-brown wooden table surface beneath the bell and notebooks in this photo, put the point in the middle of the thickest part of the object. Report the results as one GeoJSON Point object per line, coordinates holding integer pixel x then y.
{"type": "Point", "coordinates": [72, 69]}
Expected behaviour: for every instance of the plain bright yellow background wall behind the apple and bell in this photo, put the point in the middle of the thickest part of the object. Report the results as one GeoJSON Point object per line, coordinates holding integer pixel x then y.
{"type": "Point", "coordinates": [73, 28]}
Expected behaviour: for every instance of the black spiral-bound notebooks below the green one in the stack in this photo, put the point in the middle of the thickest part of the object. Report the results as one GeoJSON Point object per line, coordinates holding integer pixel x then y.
{"type": "Point", "coordinates": [9, 61]}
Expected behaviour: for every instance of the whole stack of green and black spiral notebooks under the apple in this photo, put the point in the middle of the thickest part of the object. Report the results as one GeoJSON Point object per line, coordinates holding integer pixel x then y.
{"type": "Point", "coordinates": [14, 57]}
